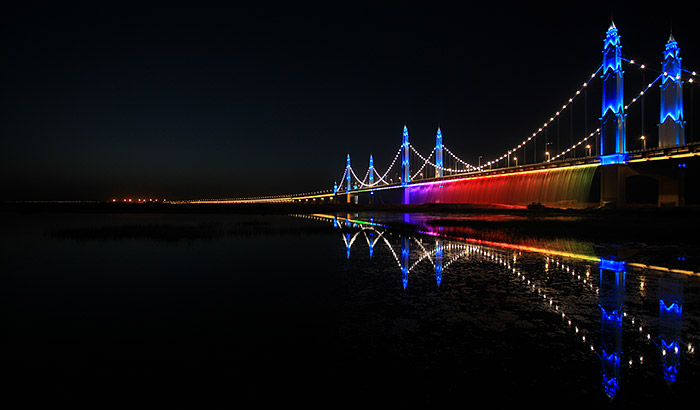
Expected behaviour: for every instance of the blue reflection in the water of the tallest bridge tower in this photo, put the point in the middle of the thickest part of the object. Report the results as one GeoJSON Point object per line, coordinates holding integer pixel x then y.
{"type": "Point", "coordinates": [612, 296]}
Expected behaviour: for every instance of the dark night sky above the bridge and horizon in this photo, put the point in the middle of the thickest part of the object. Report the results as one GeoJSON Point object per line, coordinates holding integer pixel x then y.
{"type": "Point", "coordinates": [222, 101]}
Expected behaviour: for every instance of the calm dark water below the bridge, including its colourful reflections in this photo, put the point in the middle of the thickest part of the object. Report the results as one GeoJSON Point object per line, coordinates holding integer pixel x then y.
{"type": "Point", "coordinates": [337, 310]}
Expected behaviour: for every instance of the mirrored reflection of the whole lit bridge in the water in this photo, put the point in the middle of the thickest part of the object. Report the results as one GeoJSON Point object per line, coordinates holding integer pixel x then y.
{"type": "Point", "coordinates": [618, 341]}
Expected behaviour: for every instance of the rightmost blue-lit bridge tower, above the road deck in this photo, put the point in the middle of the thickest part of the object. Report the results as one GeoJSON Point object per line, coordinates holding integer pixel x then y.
{"type": "Point", "coordinates": [671, 129]}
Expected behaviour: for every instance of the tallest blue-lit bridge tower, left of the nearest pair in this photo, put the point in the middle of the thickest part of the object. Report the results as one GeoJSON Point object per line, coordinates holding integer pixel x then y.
{"type": "Point", "coordinates": [612, 127]}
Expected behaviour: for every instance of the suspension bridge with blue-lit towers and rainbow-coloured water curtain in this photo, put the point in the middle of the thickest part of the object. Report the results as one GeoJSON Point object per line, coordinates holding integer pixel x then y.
{"type": "Point", "coordinates": [609, 160]}
